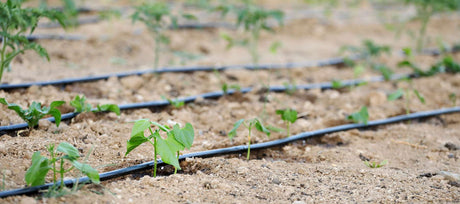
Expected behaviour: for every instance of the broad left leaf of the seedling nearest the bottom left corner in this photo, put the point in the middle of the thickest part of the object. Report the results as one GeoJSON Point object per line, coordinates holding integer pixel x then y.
{"type": "Point", "coordinates": [36, 173]}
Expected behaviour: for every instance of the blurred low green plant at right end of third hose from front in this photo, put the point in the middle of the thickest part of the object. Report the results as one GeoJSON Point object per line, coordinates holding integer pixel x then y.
{"type": "Point", "coordinates": [370, 53]}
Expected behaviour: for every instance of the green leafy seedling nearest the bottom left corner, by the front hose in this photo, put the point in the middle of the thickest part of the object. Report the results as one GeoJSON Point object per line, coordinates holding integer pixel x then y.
{"type": "Point", "coordinates": [41, 165]}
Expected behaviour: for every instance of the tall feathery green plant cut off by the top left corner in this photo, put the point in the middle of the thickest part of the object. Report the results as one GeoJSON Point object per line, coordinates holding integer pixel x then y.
{"type": "Point", "coordinates": [15, 22]}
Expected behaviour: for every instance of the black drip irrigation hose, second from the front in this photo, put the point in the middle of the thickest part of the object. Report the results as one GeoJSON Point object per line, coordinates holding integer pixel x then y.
{"type": "Point", "coordinates": [213, 95]}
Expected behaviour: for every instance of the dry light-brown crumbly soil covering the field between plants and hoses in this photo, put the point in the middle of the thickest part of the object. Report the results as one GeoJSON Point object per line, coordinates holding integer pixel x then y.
{"type": "Point", "coordinates": [326, 169]}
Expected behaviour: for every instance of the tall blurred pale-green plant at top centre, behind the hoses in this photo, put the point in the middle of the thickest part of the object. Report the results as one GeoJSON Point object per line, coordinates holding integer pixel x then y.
{"type": "Point", "coordinates": [253, 20]}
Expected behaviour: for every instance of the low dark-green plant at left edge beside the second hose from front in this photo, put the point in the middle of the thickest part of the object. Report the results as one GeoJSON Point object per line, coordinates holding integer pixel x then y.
{"type": "Point", "coordinates": [35, 112]}
